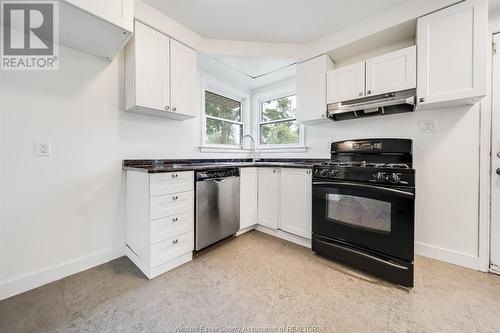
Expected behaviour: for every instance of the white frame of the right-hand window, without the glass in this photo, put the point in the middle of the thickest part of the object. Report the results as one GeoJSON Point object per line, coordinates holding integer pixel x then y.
{"type": "Point", "coordinates": [260, 100]}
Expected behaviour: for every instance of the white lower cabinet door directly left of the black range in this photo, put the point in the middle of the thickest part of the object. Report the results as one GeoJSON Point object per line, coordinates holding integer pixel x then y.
{"type": "Point", "coordinates": [295, 201]}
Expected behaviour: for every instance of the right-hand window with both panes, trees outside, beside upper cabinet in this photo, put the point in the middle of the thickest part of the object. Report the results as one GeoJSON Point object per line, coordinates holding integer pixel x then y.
{"type": "Point", "coordinates": [277, 122]}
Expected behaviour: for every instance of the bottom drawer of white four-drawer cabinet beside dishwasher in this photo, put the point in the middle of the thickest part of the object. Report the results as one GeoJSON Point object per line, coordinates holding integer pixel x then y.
{"type": "Point", "coordinates": [171, 248]}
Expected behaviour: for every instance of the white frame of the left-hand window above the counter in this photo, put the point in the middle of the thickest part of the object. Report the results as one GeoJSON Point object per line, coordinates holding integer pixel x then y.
{"type": "Point", "coordinates": [228, 93]}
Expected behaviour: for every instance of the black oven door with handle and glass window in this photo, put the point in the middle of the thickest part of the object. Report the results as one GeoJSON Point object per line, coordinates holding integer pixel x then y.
{"type": "Point", "coordinates": [377, 218]}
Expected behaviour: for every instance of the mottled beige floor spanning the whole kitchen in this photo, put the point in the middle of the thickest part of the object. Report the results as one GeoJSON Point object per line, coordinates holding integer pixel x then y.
{"type": "Point", "coordinates": [258, 281]}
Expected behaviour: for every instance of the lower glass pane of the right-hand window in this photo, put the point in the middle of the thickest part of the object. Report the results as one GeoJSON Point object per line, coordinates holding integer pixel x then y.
{"type": "Point", "coordinates": [286, 132]}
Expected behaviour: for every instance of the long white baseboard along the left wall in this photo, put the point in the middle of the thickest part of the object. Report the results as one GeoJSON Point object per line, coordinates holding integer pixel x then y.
{"type": "Point", "coordinates": [36, 279]}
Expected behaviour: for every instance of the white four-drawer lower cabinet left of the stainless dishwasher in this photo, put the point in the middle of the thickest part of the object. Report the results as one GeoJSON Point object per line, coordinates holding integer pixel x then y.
{"type": "Point", "coordinates": [160, 220]}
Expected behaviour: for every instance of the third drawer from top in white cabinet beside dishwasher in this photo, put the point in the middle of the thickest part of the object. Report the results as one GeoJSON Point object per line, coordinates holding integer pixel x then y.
{"type": "Point", "coordinates": [171, 226]}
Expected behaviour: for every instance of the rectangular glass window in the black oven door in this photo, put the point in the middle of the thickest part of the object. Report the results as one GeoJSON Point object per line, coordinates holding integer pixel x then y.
{"type": "Point", "coordinates": [364, 213]}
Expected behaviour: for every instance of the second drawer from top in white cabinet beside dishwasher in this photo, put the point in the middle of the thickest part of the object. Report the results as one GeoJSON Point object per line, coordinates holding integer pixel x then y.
{"type": "Point", "coordinates": [170, 204]}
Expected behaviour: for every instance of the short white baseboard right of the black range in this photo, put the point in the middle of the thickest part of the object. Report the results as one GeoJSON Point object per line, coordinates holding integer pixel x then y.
{"type": "Point", "coordinates": [450, 256]}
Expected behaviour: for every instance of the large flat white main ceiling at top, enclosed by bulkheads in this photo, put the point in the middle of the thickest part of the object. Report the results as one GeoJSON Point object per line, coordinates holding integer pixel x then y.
{"type": "Point", "coordinates": [278, 21]}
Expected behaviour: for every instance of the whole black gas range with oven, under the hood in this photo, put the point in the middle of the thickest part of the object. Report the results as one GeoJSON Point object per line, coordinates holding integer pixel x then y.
{"type": "Point", "coordinates": [363, 207]}
